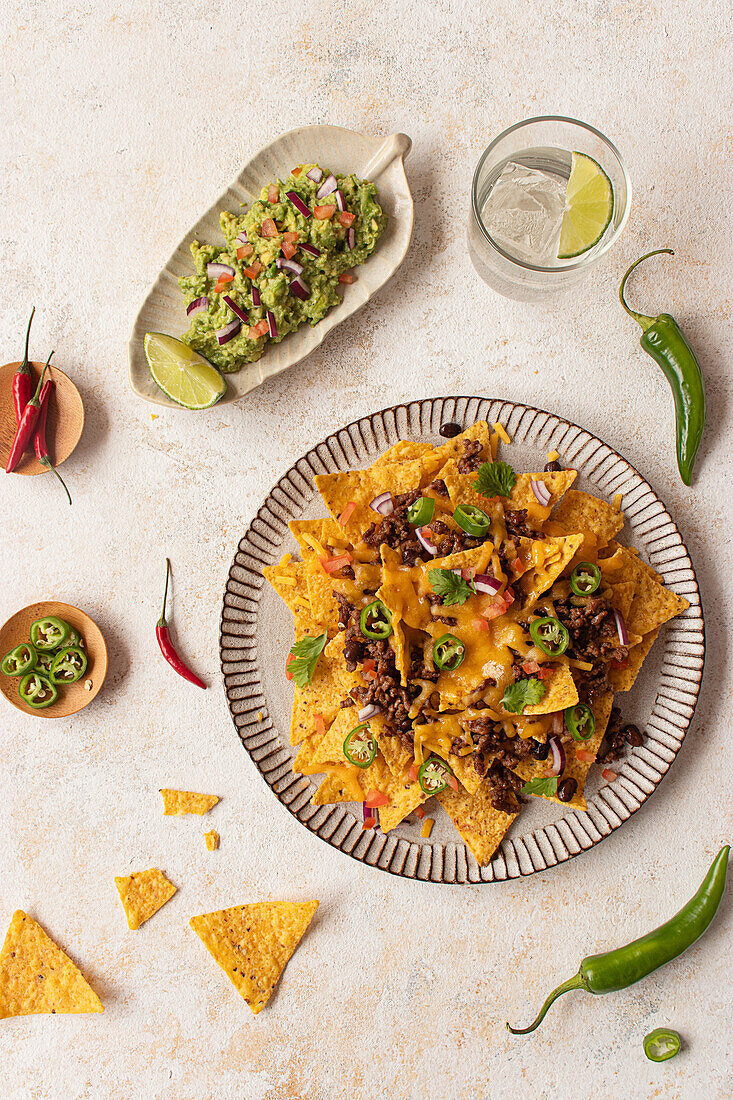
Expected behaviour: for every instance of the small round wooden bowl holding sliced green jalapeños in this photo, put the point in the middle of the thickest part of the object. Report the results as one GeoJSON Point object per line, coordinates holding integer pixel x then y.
{"type": "Point", "coordinates": [72, 698]}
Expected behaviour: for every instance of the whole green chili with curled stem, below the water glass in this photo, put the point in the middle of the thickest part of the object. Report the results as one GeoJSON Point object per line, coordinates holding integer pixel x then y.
{"type": "Point", "coordinates": [665, 343]}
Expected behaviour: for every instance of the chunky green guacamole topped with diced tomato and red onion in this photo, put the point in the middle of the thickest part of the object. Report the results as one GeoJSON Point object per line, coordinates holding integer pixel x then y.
{"type": "Point", "coordinates": [279, 268]}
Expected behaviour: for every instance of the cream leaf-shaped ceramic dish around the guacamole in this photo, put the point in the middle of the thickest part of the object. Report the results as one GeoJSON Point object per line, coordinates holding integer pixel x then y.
{"type": "Point", "coordinates": [376, 159]}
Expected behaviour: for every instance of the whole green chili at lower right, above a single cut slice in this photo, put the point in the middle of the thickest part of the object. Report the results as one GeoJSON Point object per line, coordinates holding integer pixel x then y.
{"type": "Point", "coordinates": [615, 971]}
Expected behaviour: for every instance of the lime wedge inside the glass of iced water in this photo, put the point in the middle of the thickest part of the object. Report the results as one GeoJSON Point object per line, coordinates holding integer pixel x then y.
{"type": "Point", "coordinates": [589, 207]}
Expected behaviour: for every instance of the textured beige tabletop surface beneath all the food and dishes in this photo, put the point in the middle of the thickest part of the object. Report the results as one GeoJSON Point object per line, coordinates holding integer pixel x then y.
{"type": "Point", "coordinates": [121, 124]}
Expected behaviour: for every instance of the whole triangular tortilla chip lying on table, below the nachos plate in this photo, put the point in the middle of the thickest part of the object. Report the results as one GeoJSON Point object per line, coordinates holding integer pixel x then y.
{"type": "Point", "coordinates": [253, 944]}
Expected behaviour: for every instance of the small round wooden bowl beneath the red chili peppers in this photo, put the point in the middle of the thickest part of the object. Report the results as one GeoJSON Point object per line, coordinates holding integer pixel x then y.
{"type": "Point", "coordinates": [65, 422]}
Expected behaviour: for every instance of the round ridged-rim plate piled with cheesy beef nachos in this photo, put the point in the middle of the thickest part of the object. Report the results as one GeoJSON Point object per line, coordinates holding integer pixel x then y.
{"type": "Point", "coordinates": [434, 639]}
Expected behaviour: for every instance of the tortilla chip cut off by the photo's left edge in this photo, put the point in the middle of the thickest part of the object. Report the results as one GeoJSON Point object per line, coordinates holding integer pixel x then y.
{"type": "Point", "coordinates": [37, 976]}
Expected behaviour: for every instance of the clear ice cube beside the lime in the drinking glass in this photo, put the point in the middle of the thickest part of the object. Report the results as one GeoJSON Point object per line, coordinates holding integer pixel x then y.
{"type": "Point", "coordinates": [524, 213]}
